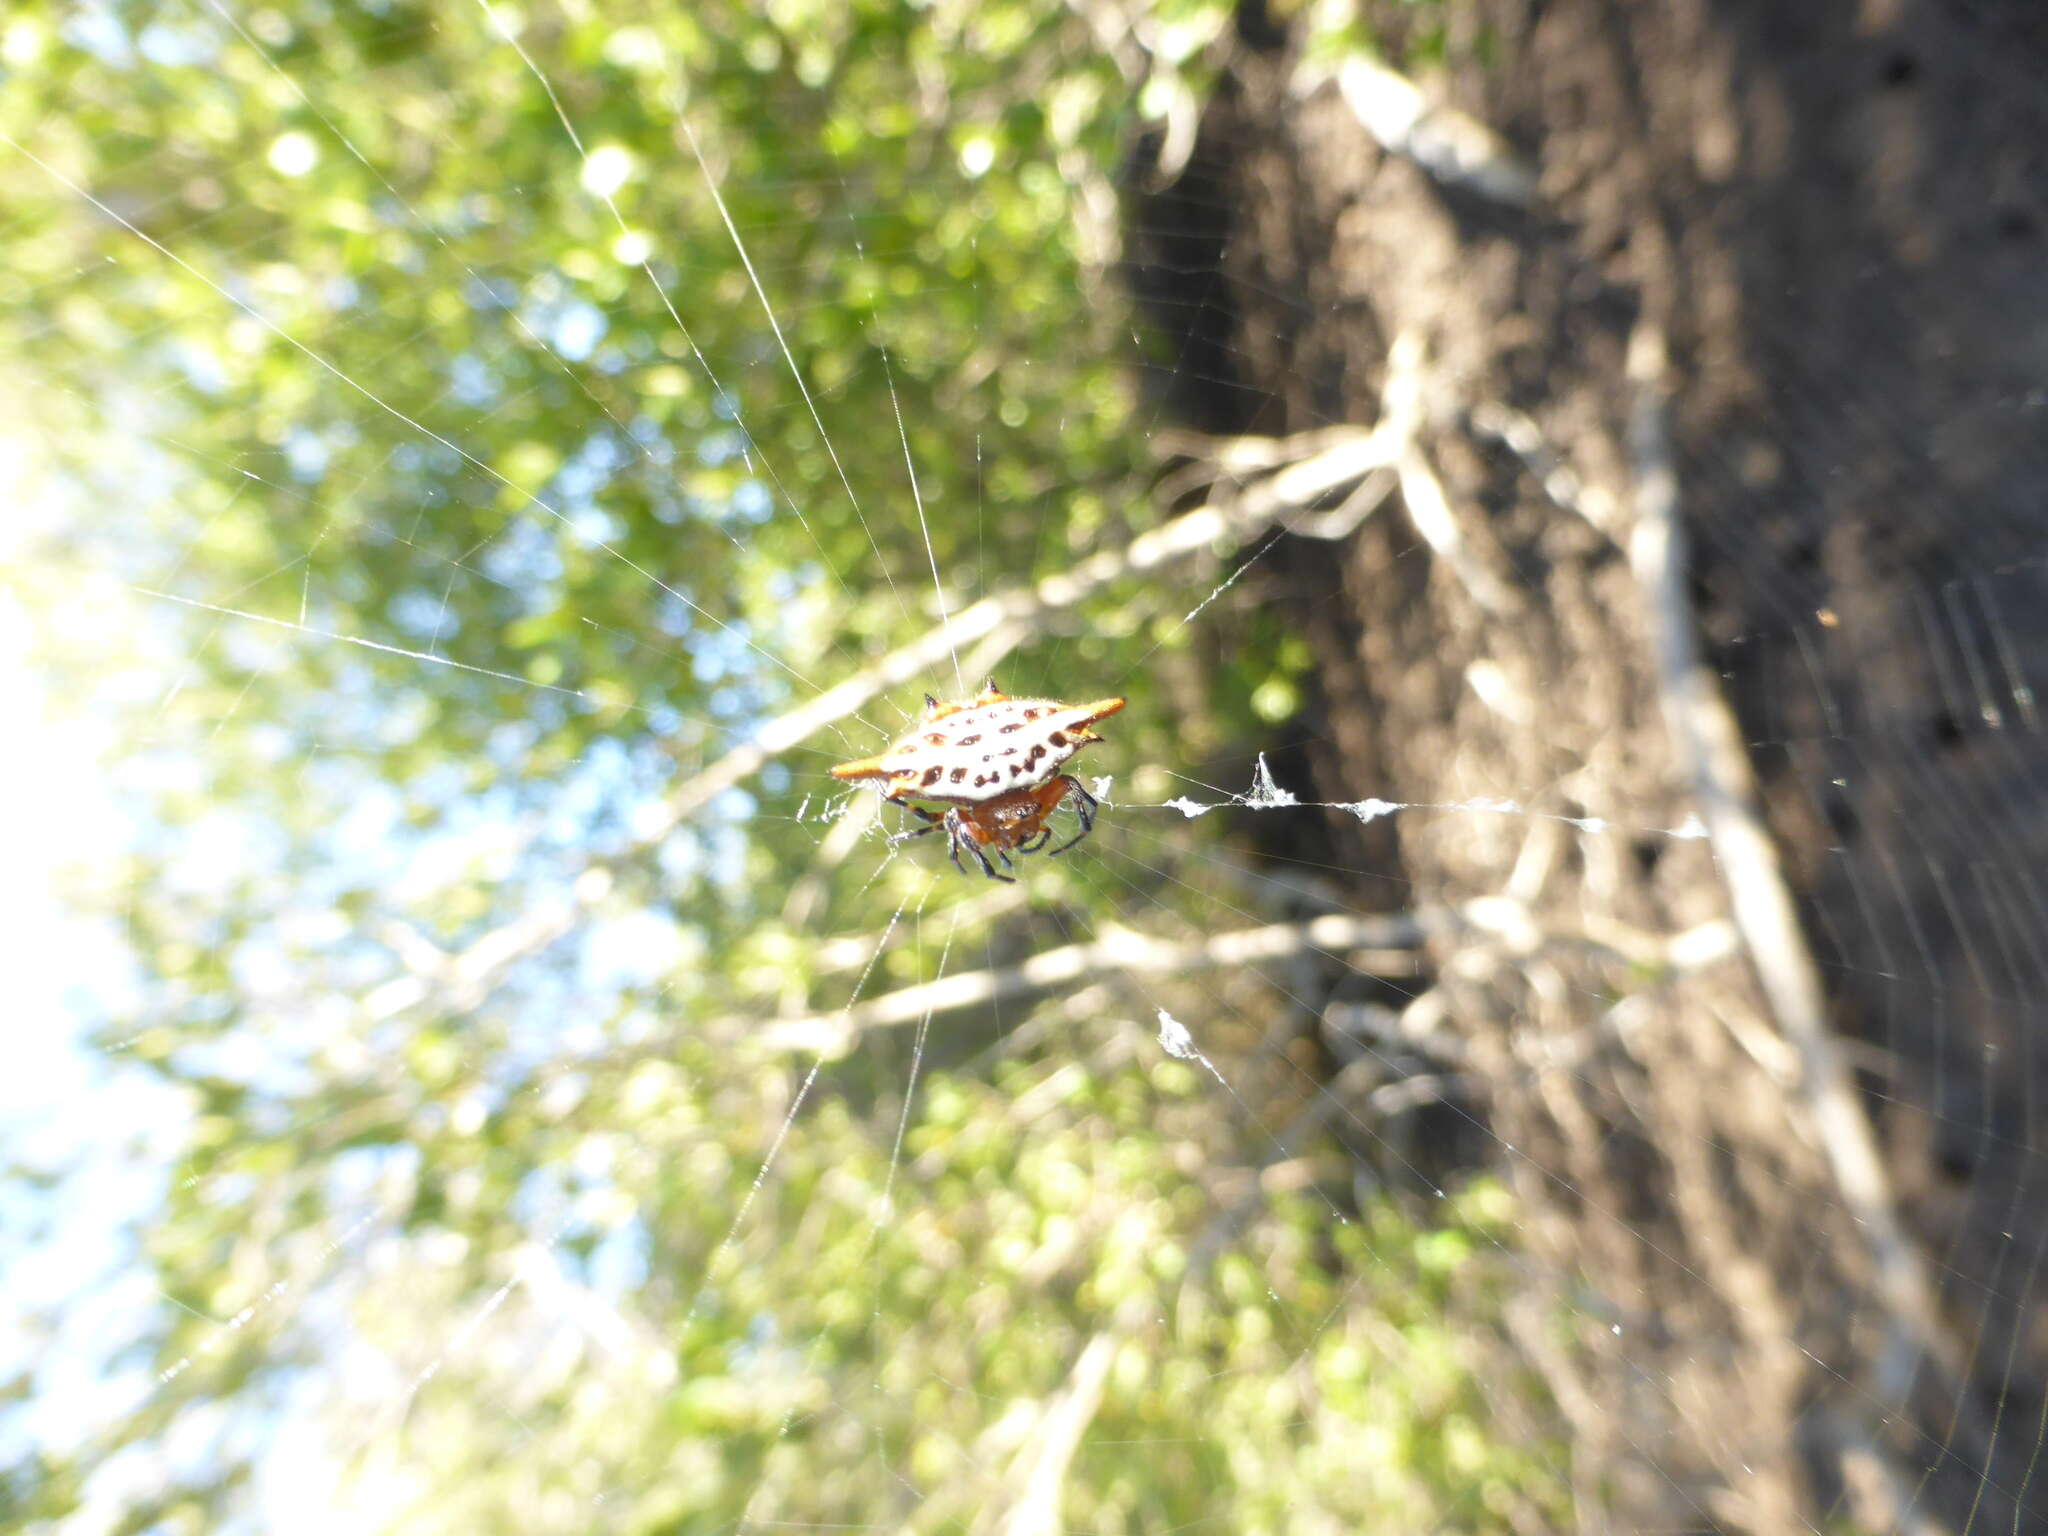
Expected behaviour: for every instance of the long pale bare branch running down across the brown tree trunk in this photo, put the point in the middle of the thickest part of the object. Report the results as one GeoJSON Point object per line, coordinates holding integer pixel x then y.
{"type": "Point", "coordinates": [1709, 746]}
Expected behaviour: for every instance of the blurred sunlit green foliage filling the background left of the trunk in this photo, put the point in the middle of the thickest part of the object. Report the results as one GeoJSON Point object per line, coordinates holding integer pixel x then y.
{"type": "Point", "coordinates": [423, 540]}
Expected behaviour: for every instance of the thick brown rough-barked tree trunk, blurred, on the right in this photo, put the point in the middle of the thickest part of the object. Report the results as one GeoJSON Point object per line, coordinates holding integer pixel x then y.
{"type": "Point", "coordinates": [1830, 218]}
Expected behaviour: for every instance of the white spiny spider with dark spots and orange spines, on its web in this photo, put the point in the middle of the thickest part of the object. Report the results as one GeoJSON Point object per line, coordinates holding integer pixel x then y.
{"type": "Point", "coordinates": [996, 765]}
